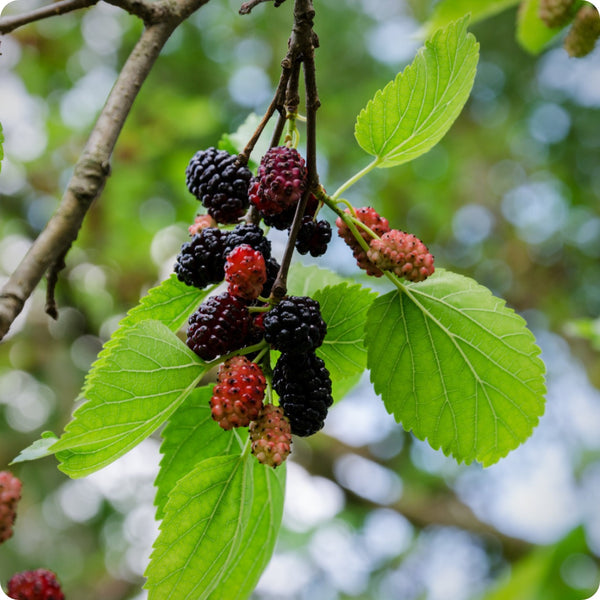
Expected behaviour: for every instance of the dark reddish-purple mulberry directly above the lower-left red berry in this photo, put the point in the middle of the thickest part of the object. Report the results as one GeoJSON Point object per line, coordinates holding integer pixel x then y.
{"type": "Point", "coordinates": [220, 325]}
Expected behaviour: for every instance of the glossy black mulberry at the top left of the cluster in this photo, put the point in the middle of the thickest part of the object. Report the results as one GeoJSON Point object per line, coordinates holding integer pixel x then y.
{"type": "Point", "coordinates": [220, 182]}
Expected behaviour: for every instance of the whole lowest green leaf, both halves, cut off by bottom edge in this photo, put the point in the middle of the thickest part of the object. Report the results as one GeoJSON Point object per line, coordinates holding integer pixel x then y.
{"type": "Point", "coordinates": [209, 540]}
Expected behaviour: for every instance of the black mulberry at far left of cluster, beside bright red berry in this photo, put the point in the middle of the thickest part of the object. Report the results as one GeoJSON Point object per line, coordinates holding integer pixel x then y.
{"type": "Point", "coordinates": [201, 261]}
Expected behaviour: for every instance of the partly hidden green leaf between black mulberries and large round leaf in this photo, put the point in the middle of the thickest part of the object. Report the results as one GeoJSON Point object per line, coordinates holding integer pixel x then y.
{"type": "Point", "coordinates": [344, 309]}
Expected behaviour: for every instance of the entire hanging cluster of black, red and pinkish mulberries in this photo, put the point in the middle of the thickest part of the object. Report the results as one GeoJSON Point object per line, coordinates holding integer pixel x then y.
{"type": "Point", "coordinates": [242, 317]}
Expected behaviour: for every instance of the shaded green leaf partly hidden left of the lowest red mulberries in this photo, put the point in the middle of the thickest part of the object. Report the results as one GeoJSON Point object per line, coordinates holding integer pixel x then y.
{"type": "Point", "coordinates": [190, 437]}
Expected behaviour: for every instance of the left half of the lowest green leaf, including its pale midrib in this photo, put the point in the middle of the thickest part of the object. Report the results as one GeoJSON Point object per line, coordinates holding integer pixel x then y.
{"type": "Point", "coordinates": [203, 528]}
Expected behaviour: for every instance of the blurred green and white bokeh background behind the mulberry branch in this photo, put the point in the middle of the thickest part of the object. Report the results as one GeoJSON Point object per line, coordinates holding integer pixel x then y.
{"type": "Point", "coordinates": [509, 197]}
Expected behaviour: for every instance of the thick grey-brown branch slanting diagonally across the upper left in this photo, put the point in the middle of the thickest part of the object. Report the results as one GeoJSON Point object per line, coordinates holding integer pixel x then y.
{"type": "Point", "coordinates": [92, 168]}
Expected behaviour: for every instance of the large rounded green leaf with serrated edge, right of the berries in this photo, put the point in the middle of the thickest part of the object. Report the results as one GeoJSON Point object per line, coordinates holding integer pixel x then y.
{"type": "Point", "coordinates": [456, 367]}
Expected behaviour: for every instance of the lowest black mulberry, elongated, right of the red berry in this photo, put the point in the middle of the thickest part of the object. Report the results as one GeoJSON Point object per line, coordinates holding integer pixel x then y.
{"type": "Point", "coordinates": [304, 387]}
